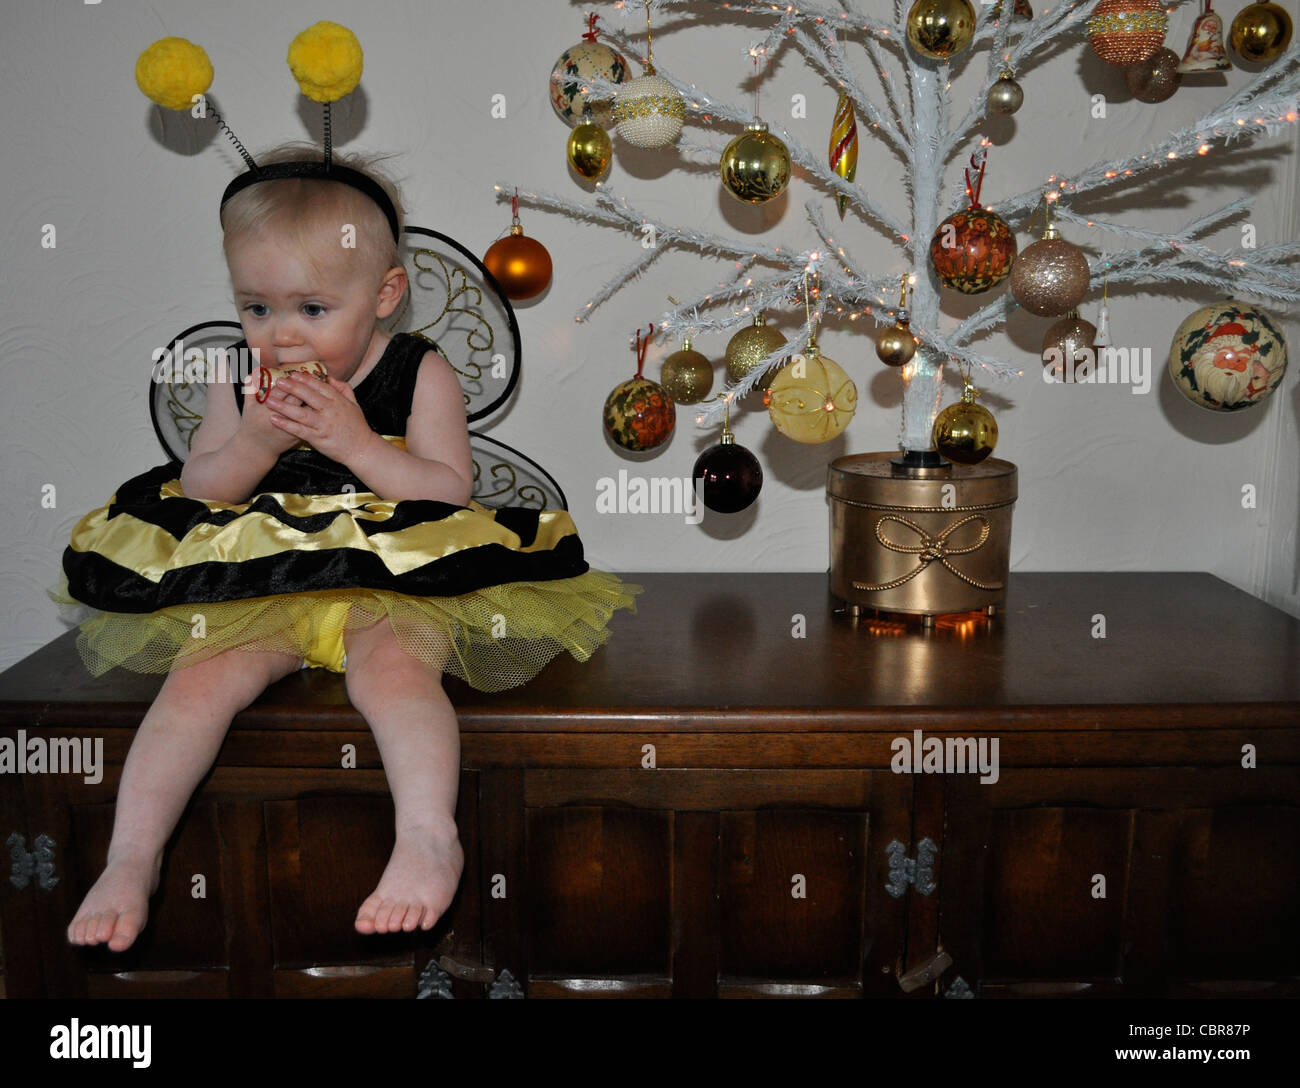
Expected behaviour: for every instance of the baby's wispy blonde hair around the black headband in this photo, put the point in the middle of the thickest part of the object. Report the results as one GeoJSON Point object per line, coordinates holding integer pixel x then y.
{"type": "Point", "coordinates": [315, 213]}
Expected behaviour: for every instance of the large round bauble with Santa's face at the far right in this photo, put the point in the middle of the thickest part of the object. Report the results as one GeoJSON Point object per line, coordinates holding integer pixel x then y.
{"type": "Point", "coordinates": [1228, 357]}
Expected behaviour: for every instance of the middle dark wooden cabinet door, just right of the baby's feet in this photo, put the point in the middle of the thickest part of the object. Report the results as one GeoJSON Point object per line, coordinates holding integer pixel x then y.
{"type": "Point", "coordinates": [692, 883]}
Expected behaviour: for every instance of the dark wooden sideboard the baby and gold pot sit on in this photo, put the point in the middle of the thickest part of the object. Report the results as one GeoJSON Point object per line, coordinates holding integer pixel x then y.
{"type": "Point", "coordinates": [709, 808]}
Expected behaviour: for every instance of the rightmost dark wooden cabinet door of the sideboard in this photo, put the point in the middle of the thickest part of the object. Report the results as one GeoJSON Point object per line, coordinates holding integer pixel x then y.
{"type": "Point", "coordinates": [1098, 882]}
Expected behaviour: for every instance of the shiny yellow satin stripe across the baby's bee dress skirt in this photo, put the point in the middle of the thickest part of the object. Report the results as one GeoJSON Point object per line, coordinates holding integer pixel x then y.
{"type": "Point", "coordinates": [151, 552]}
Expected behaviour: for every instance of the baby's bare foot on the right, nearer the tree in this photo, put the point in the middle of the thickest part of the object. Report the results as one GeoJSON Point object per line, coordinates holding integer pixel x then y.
{"type": "Point", "coordinates": [418, 885]}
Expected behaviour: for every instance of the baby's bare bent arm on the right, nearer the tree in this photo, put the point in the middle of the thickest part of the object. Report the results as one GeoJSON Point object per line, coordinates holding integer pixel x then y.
{"type": "Point", "coordinates": [437, 463]}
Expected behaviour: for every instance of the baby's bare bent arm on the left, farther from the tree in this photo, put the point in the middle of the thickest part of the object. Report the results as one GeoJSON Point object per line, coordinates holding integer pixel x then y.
{"type": "Point", "coordinates": [232, 452]}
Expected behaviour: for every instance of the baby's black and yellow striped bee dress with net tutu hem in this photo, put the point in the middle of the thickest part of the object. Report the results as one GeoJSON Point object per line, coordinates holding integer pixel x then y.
{"type": "Point", "coordinates": [487, 596]}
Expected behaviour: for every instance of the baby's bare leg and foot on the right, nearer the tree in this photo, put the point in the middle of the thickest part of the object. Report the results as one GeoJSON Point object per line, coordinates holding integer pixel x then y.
{"type": "Point", "coordinates": [419, 739]}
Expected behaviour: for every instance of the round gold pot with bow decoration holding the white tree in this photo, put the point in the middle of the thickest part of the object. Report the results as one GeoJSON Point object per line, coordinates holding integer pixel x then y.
{"type": "Point", "coordinates": [925, 541]}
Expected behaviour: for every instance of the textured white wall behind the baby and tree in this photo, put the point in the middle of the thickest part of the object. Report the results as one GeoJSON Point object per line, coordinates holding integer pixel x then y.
{"type": "Point", "coordinates": [1110, 480]}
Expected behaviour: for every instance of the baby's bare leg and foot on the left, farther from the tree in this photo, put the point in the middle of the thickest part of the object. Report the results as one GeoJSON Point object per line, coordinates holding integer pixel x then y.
{"type": "Point", "coordinates": [174, 749]}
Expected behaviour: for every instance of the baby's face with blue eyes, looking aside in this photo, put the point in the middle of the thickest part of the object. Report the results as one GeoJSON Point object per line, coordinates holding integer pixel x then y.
{"type": "Point", "coordinates": [293, 315]}
